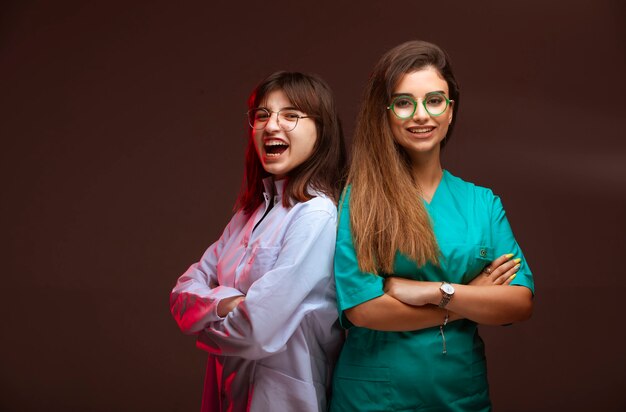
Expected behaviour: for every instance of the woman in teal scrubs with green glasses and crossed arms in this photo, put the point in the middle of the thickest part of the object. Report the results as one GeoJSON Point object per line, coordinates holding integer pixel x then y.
{"type": "Point", "coordinates": [422, 257]}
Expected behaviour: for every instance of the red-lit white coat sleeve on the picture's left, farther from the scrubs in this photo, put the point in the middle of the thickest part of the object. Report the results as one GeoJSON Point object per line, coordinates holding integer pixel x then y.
{"type": "Point", "coordinates": [194, 299]}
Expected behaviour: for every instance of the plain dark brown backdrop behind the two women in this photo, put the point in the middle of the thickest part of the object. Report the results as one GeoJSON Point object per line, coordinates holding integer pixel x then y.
{"type": "Point", "coordinates": [122, 143]}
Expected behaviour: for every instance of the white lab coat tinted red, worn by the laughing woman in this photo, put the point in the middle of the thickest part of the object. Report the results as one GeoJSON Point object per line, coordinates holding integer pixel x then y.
{"type": "Point", "coordinates": [276, 350]}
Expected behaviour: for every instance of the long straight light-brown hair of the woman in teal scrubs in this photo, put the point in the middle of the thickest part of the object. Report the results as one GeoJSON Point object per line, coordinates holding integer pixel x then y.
{"type": "Point", "coordinates": [386, 213]}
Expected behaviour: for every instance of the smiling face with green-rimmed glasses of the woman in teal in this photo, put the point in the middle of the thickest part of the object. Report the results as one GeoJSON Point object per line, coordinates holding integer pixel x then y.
{"type": "Point", "coordinates": [421, 134]}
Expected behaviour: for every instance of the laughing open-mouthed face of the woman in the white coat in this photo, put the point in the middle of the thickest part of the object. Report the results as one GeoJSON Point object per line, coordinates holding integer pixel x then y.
{"type": "Point", "coordinates": [280, 151]}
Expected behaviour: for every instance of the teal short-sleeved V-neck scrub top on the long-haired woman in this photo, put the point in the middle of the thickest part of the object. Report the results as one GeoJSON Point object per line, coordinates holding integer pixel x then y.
{"type": "Point", "coordinates": [407, 371]}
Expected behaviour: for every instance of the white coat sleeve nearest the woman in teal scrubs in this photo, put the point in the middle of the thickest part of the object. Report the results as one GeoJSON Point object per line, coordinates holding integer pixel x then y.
{"type": "Point", "coordinates": [277, 303]}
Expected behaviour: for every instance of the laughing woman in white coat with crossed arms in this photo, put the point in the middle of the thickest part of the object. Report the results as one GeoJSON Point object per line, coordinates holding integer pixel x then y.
{"type": "Point", "coordinates": [262, 298]}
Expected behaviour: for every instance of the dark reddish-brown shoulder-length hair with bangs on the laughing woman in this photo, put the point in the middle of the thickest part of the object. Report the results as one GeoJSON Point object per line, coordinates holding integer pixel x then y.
{"type": "Point", "coordinates": [324, 170]}
